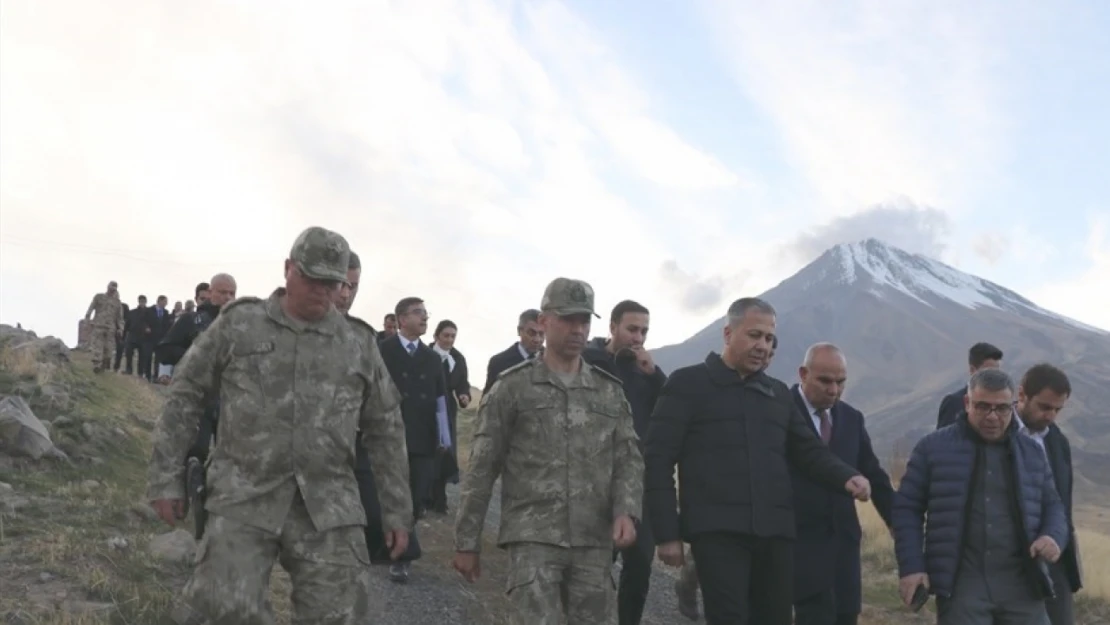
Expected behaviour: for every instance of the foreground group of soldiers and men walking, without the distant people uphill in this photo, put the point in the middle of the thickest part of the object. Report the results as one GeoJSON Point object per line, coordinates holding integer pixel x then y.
{"type": "Point", "coordinates": [332, 439]}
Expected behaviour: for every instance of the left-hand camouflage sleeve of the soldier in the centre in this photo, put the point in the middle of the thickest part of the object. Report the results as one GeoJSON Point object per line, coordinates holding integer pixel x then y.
{"type": "Point", "coordinates": [489, 449]}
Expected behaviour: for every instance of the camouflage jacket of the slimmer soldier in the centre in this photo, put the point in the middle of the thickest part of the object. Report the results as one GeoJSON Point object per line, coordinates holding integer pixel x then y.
{"type": "Point", "coordinates": [568, 457]}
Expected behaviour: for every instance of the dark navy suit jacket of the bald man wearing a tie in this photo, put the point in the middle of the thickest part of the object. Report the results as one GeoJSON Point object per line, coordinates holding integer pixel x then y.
{"type": "Point", "coordinates": [826, 555]}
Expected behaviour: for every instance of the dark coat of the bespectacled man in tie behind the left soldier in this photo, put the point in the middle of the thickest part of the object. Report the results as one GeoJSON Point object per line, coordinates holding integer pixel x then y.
{"type": "Point", "coordinates": [420, 380]}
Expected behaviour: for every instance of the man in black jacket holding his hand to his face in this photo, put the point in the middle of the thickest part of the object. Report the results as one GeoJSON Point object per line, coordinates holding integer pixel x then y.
{"type": "Point", "coordinates": [624, 357]}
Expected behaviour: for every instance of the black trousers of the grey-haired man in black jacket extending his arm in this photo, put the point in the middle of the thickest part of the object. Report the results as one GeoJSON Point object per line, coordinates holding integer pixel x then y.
{"type": "Point", "coordinates": [745, 580]}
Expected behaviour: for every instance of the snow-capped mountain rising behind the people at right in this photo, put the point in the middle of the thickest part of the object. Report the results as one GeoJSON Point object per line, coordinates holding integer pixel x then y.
{"type": "Point", "coordinates": [906, 322]}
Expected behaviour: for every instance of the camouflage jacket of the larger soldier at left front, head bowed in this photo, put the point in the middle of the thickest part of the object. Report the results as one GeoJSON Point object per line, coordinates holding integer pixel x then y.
{"type": "Point", "coordinates": [292, 398]}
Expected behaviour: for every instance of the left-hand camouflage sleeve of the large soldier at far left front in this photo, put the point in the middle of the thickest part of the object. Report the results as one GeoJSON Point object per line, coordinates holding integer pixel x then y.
{"type": "Point", "coordinates": [196, 378]}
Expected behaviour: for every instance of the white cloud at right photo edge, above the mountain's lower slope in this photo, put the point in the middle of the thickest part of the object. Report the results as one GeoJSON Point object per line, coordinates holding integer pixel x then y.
{"type": "Point", "coordinates": [1085, 297]}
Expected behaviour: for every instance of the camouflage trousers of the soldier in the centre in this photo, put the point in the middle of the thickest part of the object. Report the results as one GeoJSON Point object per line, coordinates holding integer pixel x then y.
{"type": "Point", "coordinates": [552, 586]}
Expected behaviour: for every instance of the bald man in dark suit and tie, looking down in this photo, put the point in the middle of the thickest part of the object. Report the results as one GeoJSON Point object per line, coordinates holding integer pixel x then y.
{"type": "Point", "coordinates": [826, 555]}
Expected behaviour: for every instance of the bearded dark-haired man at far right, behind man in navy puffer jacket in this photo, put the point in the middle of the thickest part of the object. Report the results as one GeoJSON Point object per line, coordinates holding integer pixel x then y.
{"type": "Point", "coordinates": [1044, 392]}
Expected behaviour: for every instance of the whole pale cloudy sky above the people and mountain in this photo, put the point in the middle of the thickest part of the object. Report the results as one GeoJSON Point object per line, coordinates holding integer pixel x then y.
{"type": "Point", "coordinates": [681, 154]}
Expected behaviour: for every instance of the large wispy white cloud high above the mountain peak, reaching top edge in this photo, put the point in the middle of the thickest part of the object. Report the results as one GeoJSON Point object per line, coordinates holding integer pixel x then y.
{"type": "Point", "coordinates": [874, 99]}
